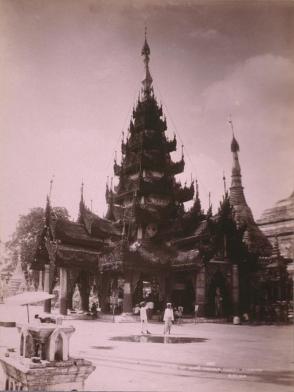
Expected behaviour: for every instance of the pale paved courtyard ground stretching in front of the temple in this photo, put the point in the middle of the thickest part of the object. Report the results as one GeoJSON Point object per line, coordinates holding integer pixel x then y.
{"type": "Point", "coordinates": [223, 357]}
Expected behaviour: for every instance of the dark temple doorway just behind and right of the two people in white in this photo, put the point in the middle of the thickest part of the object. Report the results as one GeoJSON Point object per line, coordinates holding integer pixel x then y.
{"type": "Point", "coordinates": [183, 293]}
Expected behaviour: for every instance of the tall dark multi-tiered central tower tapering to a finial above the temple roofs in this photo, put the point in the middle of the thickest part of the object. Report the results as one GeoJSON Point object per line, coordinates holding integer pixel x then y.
{"type": "Point", "coordinates": [148, 197]}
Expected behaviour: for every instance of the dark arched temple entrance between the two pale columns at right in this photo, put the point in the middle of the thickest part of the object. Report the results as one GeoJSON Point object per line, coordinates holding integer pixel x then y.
{"type": "Point", "coordinates": [218, 296]}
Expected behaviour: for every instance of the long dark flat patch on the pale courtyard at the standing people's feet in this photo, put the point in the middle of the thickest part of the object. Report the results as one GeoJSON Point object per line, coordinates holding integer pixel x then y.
{"type": "Point", "coordinates": [157, 339]}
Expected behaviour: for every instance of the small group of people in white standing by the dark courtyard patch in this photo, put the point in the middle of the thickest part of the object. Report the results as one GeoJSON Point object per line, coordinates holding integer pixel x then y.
{"type": "Point", "coordinates": [168, 317]}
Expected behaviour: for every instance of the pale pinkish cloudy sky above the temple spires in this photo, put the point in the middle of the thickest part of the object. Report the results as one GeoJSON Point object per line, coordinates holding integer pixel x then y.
{"type": "Point", "coordinates": [71, 71]}
